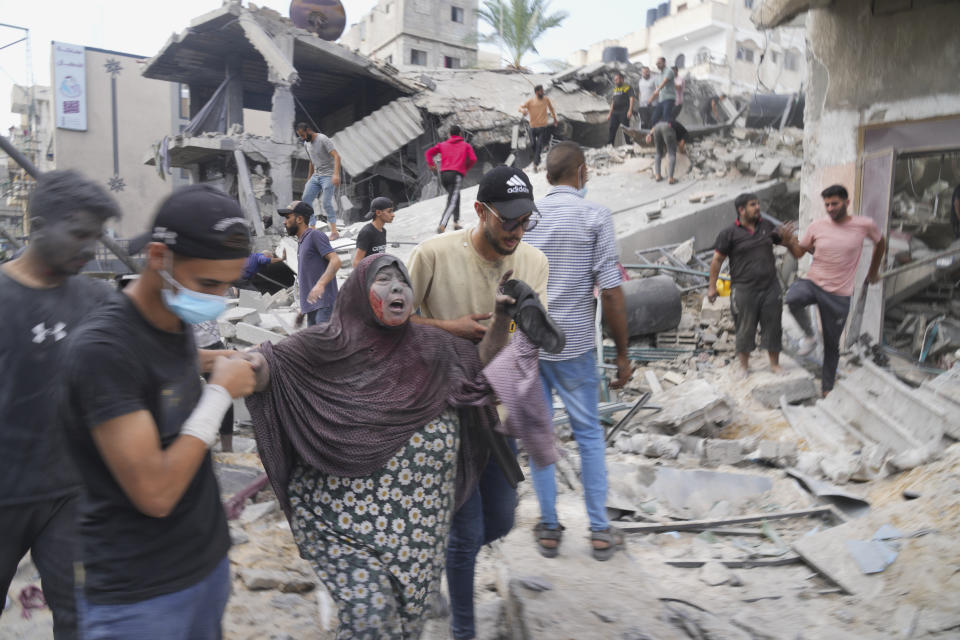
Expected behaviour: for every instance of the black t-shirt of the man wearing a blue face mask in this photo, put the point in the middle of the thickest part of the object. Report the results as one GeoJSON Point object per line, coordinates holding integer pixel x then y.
{"type": "Point", "coordinates": [117, 363]}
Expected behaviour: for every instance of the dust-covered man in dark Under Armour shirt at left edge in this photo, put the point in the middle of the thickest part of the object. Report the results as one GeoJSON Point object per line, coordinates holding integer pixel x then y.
{"type": "Point", "coordinates": [43, 301]}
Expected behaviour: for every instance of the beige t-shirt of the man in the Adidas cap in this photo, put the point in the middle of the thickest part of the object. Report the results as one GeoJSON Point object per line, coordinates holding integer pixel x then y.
{"type": "Point", "coordinates": [451, 280]}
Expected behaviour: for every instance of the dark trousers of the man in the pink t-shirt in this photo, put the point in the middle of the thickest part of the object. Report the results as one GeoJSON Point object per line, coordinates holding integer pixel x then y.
{"type": "Point", "coordinates": [833, 317]}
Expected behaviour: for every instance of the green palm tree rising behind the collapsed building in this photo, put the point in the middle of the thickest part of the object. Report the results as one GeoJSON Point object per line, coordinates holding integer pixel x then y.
{"type": "Point", "coordinates": [517, 24]}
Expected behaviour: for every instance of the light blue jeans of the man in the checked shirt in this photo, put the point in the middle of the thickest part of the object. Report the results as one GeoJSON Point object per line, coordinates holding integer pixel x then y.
{"type": "Point", "coordinates": [576, 381]}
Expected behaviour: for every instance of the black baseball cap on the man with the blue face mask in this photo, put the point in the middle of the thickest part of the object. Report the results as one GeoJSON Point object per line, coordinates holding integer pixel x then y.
{"type": "Point", "coordinates": [199, 221]}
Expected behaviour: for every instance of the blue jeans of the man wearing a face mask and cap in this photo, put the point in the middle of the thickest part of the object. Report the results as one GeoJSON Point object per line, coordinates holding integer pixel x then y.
{"type": "Point", "coordinates": [191, 614]}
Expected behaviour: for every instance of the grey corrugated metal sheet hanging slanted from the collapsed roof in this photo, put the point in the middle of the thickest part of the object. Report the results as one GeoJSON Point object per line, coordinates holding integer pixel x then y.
{"type": "Point", "coordinates": [364, 143]}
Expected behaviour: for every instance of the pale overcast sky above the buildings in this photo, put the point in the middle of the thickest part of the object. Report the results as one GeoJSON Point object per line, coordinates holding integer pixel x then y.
{"type": "Point", "coordinates": [143, 26]}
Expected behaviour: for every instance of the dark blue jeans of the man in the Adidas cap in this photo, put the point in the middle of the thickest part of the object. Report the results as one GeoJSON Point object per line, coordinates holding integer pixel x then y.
{"type": "Point", "coordinates": [486, 516]}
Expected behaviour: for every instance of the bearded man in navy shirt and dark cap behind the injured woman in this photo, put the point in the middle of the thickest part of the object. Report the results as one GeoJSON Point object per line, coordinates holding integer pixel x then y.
{"type": "Point", "coordinates": [317, 264]}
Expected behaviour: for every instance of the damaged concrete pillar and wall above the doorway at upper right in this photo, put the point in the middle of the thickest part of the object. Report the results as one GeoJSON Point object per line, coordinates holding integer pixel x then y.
{"type": "Point", "coordinates": [866, 69]}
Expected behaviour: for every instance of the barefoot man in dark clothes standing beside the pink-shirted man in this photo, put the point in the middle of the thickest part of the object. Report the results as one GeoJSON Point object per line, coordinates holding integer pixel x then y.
{"type": "Point", "coordinates": [756, 294]}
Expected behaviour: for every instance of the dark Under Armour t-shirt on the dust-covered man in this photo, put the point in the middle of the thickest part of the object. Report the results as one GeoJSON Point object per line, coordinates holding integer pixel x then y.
{"type": "Point", "coordinates": [34, 464]}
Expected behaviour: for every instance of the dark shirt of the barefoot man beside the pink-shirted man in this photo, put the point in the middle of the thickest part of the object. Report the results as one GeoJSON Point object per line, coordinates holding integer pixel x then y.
{"type": "Point", "coordinates": [751, 254]}
